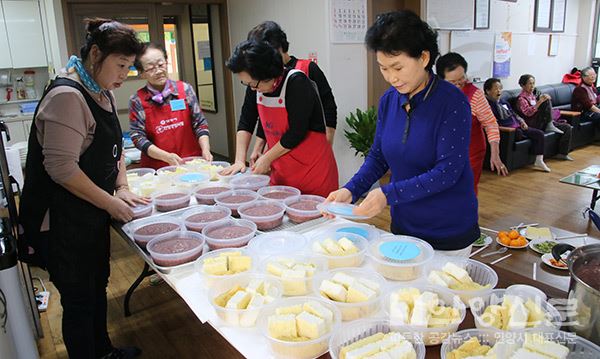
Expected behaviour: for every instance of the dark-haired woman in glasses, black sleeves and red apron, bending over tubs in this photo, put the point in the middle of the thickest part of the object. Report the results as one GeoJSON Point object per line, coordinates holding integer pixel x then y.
{"type": "Point", "coordinates": [291, 116]}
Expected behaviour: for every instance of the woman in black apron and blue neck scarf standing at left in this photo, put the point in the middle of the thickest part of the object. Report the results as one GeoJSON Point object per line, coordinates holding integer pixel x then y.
{"type": "Point", "coordinates": [67, 222]}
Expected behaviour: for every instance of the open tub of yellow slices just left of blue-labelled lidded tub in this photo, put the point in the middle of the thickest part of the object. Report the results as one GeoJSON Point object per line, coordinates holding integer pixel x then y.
{"type": "Point", "coordinates": [350, 260]}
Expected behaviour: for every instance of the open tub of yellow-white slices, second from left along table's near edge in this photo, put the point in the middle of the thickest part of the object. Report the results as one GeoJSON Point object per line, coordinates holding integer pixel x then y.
{"type": "Point", "coordinates": [241, 317]}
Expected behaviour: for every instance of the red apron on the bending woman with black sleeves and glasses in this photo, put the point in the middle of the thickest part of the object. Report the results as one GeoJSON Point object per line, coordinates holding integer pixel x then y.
{"type": "Point", "coordinates": [310, 166]}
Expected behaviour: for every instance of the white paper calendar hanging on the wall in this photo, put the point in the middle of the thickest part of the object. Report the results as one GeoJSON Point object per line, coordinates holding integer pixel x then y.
{"type": "Point", "coordinates": [348, 23]}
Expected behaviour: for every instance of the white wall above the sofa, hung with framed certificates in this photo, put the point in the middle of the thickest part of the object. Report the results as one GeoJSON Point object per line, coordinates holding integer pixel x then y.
{"type": "Point", "coordinates": [574, 43]}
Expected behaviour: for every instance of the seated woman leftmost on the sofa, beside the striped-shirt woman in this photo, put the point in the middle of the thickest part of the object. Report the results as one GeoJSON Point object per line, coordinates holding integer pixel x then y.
{"type": "Point", "coordinates": [506, 117]}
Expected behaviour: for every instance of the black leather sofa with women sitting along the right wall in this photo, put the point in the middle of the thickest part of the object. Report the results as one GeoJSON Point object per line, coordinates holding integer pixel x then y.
{"type": "Point", "coordinates": [516, 154]}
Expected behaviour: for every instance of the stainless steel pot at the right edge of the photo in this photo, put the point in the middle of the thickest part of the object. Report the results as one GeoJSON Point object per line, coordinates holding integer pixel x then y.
{"type": "Point", "coordinates": [583, 313]}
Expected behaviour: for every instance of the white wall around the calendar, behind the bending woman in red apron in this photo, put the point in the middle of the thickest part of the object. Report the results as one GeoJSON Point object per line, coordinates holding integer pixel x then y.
{"type": "Point", "coordinates": [306, 24]}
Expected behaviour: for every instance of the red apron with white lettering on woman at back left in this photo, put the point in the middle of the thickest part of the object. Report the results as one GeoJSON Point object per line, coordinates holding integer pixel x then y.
{"type": "Point", "coordinates": [169, 130]}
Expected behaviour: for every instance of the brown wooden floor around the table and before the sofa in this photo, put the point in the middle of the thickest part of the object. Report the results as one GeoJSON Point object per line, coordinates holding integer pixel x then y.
{"type": "Point", "coordinates": [164, 327]}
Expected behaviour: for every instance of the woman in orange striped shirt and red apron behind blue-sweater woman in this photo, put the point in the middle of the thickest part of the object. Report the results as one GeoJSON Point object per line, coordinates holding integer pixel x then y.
{"type": "Point", "coordinates": [452, 67]}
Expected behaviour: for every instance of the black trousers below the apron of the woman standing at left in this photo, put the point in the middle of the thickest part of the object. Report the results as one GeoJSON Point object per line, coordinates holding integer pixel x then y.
{"type": "Point", "coordinates": [84, 318]}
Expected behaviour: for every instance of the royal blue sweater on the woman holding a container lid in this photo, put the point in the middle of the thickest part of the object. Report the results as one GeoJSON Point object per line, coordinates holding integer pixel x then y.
{"type": "Point", "coordinates": [431, 192]}
